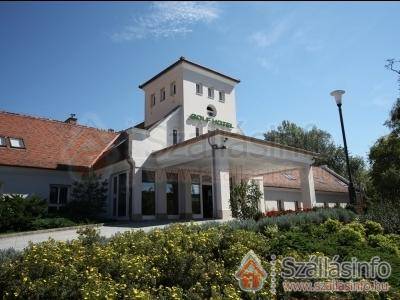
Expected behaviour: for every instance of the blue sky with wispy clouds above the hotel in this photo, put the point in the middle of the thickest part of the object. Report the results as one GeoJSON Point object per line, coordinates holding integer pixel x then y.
{"type": "Point", "coordinates": [88, 59]}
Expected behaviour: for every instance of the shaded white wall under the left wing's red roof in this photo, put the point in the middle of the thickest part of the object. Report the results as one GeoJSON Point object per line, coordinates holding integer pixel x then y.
{"type": "Point", "coordinates": [33, 181]}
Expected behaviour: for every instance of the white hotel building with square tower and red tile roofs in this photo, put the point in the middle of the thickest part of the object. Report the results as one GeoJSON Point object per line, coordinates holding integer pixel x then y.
{"type": "Point", "coordinates": [179, 163]}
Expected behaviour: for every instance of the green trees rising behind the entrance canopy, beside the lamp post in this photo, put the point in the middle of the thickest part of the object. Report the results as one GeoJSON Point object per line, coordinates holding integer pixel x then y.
{"type": "Point", "coordinates": [319, 141]}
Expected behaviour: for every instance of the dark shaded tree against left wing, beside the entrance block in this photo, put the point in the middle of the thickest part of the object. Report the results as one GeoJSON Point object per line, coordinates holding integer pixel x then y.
{"type": "Point", "coordinates": [88, 197]}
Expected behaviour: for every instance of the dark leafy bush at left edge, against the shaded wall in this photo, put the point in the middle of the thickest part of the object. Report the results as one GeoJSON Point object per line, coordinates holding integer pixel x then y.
{"type": "Point", "coordinates": [17, 212]}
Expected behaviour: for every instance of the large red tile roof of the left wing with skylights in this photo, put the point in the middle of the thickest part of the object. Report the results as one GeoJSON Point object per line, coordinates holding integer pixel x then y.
{"type": "Point", "coordinates": [51, 144]}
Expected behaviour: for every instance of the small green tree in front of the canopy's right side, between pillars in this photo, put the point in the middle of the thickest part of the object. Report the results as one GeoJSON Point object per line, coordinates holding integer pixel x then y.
{"type": "Point", "coordinates": [244, 200]}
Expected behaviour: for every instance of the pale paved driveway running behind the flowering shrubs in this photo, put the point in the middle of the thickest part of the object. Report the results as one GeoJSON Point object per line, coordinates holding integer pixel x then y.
{"type": "Point", "coordinates": [20, 242]}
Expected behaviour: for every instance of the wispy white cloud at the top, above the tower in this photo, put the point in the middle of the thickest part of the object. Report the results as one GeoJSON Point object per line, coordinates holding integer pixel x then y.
{"type": "Point", "coordinates": [166, 19]}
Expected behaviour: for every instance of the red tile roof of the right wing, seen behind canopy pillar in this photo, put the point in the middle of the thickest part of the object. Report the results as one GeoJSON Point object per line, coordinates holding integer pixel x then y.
{"type": "Point", "coordinates": [324, 180]}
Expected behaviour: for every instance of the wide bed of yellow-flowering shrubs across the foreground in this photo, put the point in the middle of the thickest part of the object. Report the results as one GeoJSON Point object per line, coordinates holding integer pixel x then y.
{"type": "Point", "coordinates": [180, 262]}
